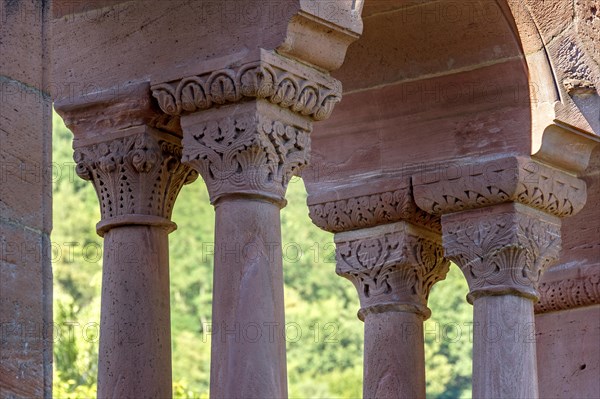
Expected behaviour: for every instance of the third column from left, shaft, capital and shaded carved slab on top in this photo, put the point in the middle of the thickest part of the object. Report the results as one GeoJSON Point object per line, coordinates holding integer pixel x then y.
{"type": "Point", "coordinates": [393, 265]}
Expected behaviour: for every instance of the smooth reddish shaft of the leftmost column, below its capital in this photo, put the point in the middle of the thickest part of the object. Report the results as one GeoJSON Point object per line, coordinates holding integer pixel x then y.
{"type": "Point", "coordinates": [135, 338]}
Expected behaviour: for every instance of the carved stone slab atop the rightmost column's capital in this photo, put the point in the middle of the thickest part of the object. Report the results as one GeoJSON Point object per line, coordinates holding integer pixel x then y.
{"type": "Point", "coordinates": [459, 187]}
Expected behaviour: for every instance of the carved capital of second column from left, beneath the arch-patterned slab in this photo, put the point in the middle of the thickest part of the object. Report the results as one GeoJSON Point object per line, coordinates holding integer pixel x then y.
{"type": "Point", "coordinates": [251, 149]}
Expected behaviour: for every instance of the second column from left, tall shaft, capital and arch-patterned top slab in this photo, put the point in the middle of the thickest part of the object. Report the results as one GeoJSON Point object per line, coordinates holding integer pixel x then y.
{"type": "Point", "coordinates": [247, 132]}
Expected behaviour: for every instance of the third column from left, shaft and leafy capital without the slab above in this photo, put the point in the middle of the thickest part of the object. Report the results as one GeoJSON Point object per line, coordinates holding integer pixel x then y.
{"type": "Point", "coordinates": [393, 268]}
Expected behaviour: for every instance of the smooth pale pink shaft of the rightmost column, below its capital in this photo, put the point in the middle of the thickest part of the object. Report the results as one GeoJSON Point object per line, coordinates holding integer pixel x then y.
{"type": "Point", "coordinates": [504, 357]}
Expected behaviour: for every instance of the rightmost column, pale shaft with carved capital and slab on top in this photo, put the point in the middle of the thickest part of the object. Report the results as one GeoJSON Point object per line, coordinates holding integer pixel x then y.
{"type": "Point", "coordinates": [501, 226]}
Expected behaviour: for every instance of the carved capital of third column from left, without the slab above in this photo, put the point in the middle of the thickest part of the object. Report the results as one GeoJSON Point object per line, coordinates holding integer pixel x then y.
{"type": "Point", "coordinates": [392, 266]}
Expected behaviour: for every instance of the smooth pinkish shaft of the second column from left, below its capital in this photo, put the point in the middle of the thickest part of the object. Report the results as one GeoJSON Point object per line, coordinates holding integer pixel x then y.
{"type": "Point", "coordinates": [248, 343]}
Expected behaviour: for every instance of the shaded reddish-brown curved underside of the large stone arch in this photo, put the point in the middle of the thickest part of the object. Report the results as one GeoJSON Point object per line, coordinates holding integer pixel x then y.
{"type": "Point", "coordinates": [427, 81]}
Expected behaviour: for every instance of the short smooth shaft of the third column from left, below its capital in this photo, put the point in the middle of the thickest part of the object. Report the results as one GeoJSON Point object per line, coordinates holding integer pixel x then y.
{"type": "Point", "coordinates": [394, 358]}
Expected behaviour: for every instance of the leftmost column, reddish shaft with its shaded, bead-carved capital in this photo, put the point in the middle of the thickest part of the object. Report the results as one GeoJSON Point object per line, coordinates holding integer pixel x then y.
{"type": "Point", "coordinates": [137, 174]}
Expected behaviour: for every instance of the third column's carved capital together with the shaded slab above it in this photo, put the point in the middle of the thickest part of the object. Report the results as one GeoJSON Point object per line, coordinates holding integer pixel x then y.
{"type": "Point", "coordinates": [387, 247]}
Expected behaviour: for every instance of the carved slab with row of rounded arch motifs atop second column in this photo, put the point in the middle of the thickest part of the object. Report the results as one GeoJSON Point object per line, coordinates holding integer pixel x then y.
{"type": "Point", "coordinates": [276, 79]}
